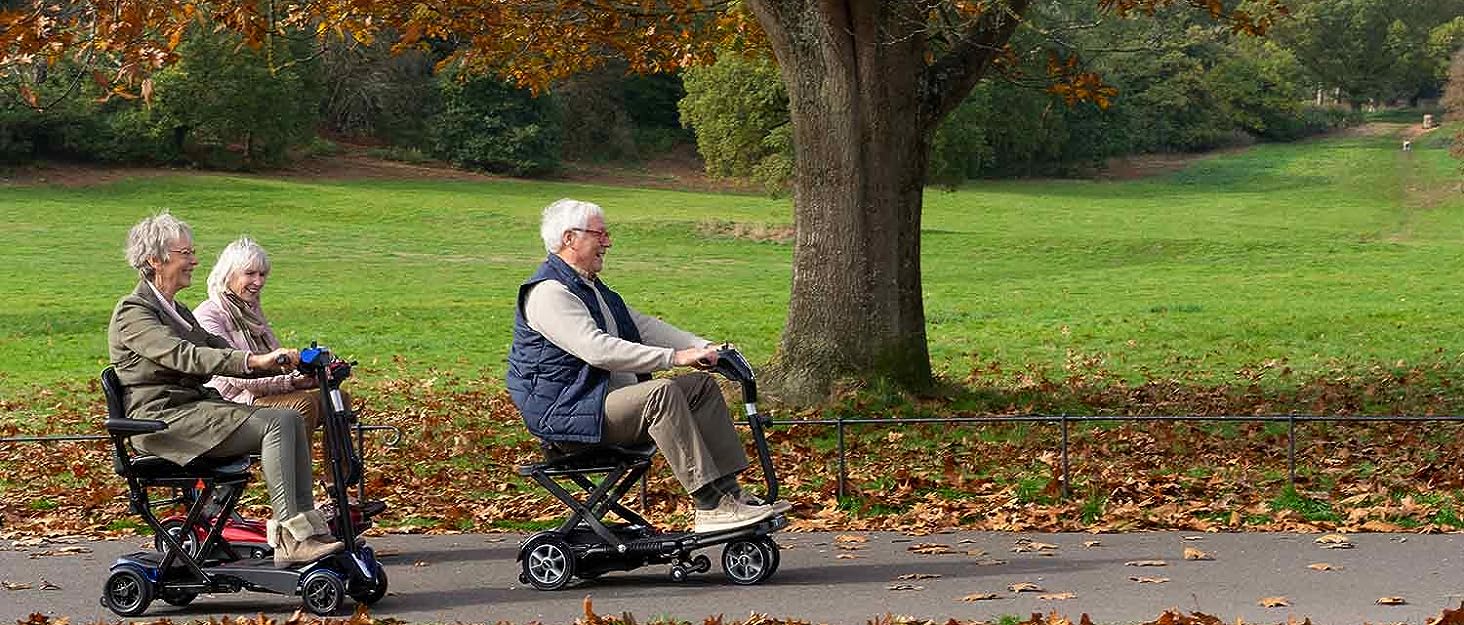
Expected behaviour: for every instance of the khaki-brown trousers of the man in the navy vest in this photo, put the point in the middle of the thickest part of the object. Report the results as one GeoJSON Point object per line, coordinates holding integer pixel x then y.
{"type": "Point", "coordinates": [689, 421]}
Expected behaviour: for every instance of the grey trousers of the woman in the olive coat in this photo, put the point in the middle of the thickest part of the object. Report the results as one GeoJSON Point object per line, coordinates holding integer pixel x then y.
{"type": "Point", "coordinates": [285, 454]}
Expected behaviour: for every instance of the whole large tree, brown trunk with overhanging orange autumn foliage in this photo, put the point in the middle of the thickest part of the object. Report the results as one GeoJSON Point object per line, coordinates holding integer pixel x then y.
{"type": "Point", "coordinates": [869, 84]}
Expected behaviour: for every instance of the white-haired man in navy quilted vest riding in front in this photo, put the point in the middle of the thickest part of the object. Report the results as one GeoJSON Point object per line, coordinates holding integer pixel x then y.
{"type": "Point", "coordinates": [580, 374]}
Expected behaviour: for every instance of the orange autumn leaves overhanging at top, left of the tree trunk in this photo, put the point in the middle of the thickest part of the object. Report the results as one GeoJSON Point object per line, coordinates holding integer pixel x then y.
{"type": "Point", "coordinates": [532, 45]}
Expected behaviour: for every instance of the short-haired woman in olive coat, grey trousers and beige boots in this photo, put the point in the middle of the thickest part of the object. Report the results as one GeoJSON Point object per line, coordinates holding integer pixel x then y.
{"type": "Point", "coordinates": [163, 356]}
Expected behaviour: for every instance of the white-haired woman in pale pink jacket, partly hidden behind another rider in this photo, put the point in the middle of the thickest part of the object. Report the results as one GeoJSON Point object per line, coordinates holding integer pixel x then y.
{"type": "Point", "coordinates": [234, 312]}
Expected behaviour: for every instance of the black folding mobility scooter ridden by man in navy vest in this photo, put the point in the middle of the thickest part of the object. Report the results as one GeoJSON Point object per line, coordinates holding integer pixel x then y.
{"type": "Point", "coordinates": [586, 547]}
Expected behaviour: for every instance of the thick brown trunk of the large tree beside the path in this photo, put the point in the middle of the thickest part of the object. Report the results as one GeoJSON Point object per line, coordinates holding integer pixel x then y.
{"type": "Point", "coordinates": [854, 86]}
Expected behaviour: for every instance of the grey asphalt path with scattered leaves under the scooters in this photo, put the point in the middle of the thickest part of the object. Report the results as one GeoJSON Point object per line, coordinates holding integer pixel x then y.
{"type": "Point", "coordinates": [832, 579]}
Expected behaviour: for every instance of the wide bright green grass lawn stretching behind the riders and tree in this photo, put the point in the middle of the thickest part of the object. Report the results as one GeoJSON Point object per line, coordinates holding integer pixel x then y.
{"type": "Point", "coordinates": [1323, 254]}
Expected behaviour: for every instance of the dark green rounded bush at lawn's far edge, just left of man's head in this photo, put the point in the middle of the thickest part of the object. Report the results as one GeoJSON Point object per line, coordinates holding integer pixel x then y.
{"type": "Point", "coordinates": [493, 127]}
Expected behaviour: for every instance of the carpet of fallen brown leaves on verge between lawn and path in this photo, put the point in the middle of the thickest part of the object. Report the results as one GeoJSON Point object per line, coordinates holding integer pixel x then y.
{"type": "Point", "coordinates": [453, 471]}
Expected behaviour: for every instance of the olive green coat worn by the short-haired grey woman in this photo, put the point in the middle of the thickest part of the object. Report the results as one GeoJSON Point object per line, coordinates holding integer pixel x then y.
{"type": "Point", "coordinates": [163, 368]}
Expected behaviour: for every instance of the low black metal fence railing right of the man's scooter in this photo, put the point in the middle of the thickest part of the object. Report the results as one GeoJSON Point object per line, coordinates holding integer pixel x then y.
{"type": "Point", "coordinates": [1067, 421]}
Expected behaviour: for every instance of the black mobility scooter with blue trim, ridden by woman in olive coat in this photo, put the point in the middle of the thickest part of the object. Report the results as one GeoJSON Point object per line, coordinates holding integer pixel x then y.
{"type": "Point", "coordinates": [178, 575]}
